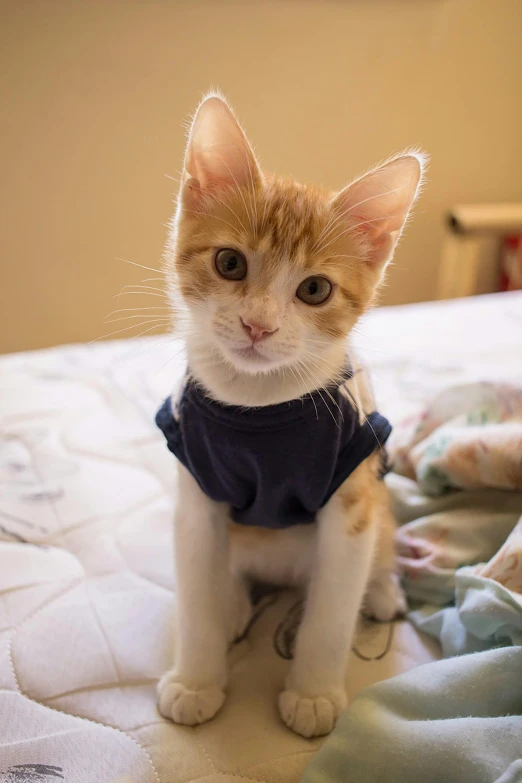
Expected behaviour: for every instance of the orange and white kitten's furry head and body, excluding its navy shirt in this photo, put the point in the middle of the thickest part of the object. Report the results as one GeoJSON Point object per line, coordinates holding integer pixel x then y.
{"type": "Point", "coordinates": [252, 341]}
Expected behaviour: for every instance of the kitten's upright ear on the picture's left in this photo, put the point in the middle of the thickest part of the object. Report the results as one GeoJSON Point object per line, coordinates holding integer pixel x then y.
{"type": "Point", "coordinates": [218, 154]}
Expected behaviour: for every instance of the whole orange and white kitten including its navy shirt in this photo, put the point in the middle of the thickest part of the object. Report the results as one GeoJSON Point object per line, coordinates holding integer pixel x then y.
{"type": "Point", "coordinates": [273, 276]}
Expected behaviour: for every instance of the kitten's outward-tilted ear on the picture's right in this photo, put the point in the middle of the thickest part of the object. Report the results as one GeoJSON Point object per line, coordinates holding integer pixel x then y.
{"type": "Point", "coordinates": [376, 206]}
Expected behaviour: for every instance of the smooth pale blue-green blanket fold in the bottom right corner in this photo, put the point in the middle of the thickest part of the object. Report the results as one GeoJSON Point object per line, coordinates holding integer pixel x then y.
{"type": "Point", "coordinates": [453, 721]}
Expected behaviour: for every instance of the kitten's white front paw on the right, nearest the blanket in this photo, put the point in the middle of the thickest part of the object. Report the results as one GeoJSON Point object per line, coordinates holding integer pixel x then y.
{"type": "Point", "coordinates": [311, 716]}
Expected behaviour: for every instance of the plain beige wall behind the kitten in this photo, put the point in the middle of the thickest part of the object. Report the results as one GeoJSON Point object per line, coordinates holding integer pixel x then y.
{"type": "Point", "coordinates": [96, 93]}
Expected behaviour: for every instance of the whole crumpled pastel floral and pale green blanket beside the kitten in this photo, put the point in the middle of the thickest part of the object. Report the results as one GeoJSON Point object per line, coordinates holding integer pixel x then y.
{"type": "Point", "coordinates": [457, 491]}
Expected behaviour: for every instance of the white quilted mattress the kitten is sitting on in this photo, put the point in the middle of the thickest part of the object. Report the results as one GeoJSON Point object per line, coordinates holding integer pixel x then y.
{"type": "Point", "coordinates": [86, 581]}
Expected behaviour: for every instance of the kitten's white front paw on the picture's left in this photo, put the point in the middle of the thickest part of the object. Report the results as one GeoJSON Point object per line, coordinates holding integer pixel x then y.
{"type": "Point", "coordinates": [184, 705]}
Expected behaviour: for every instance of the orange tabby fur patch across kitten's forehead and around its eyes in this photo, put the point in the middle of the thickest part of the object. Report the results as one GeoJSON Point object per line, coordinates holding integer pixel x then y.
{"type": "Point", "coordinates": [287, 223]}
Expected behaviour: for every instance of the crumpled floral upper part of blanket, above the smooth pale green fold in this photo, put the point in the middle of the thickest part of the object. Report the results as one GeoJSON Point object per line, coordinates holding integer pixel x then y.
{"type": "Point", "coordinates": [466, 446]}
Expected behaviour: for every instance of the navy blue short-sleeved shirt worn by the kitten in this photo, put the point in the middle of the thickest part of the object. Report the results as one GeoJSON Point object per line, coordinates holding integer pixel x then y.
{"type": "Point", "coordinates": [275, 465]}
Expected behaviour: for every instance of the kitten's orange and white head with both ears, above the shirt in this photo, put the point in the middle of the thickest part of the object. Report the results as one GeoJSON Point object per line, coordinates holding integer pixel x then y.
{"type": "Point", "coordinates": [274, 272]}
